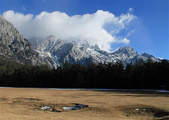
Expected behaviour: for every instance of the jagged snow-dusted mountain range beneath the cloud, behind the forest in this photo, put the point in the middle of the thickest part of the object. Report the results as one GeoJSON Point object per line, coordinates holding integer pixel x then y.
{"type": "Point", "coordinates": [84, 53]}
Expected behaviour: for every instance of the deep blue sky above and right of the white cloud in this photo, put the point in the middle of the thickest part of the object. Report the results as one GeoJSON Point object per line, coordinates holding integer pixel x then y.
{"type": "Point", "coordinates": [151, 29]}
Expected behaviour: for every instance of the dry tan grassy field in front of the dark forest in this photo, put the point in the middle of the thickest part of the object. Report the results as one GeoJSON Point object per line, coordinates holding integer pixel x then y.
{"type": "Point", "coordinates": [26, 104]}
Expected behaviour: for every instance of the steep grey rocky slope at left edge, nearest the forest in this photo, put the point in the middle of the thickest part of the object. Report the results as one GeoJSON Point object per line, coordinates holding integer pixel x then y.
{"type": "Point", "coordinates": [14, 46]}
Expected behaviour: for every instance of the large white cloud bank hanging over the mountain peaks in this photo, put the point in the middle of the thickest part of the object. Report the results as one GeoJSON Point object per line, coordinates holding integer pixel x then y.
{"type": "Point", "coordinates": [101, 27]}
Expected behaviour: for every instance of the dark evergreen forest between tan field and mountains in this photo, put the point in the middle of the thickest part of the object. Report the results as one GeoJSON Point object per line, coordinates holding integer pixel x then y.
{"type": "Point", "coordinates": [115, 76]}
